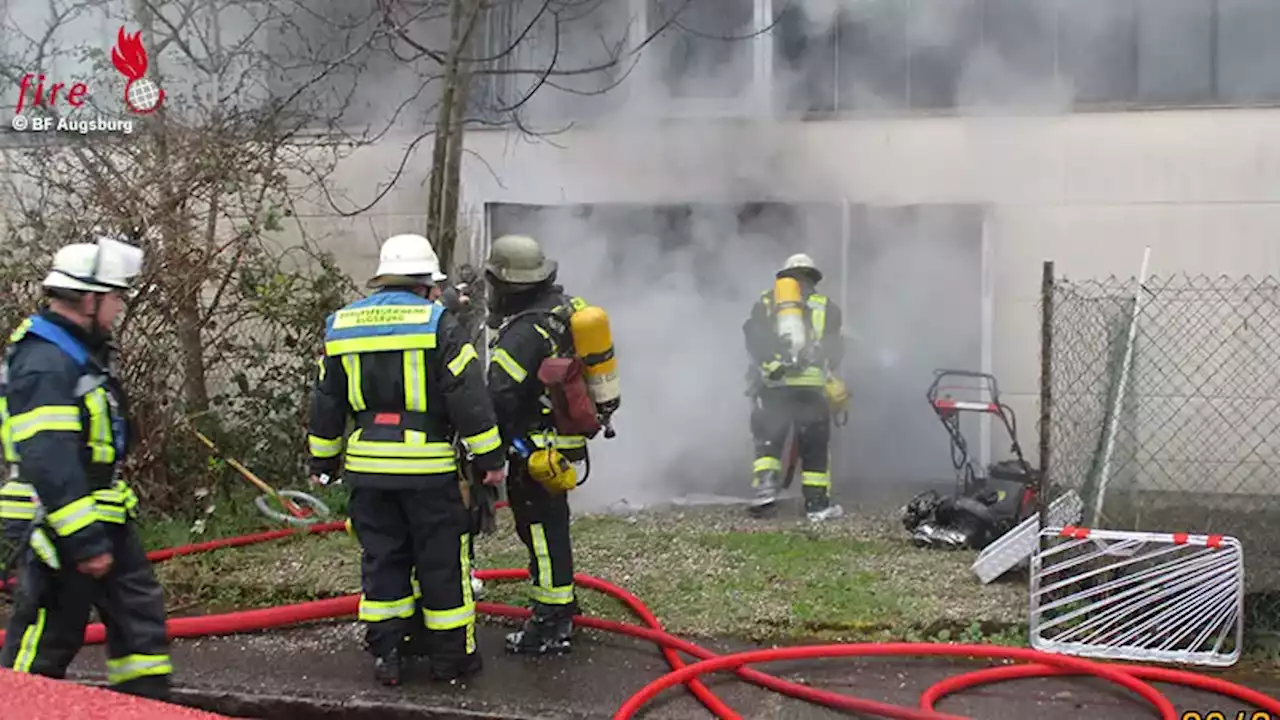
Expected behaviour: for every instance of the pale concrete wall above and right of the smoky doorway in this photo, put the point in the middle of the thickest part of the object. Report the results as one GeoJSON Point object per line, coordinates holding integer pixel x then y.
{"type": "Point", "coordinates": [1089, 192]}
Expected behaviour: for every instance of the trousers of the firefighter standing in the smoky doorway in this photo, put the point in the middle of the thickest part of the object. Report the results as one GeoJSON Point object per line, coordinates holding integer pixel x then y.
{"type": "Point", "coordinates": [776, 413]}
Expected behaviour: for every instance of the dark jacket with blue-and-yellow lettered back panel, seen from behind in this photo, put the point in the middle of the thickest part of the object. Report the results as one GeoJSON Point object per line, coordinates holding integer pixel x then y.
{"type": "Point", "coordinates": [403, 370]}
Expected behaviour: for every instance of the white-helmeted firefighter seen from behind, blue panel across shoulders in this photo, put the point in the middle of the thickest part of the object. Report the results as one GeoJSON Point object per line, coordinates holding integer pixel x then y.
{"type": "Point", "coordinates": [400, 366]}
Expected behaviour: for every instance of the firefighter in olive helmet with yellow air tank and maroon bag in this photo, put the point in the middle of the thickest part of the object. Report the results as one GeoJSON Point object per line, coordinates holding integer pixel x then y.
{"type": "Point", "coordinates": [537, 323]}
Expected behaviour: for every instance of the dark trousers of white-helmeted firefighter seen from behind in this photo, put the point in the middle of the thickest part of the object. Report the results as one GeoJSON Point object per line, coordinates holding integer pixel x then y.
{"type": "Point", "coordinates": [417, 535]}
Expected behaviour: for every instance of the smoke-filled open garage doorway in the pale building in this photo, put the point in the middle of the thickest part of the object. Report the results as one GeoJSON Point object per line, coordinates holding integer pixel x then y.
{"type": "Point", "coordinates": [680, 280]}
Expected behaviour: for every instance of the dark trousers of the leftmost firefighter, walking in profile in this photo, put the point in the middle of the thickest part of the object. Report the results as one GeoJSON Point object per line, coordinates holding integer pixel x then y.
{"type": "Point", "coordinates": [53, 608]}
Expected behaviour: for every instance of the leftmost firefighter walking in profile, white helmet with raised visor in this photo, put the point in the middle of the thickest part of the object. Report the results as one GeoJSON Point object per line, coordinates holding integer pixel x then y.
{"type": "Point", "coordinates": [67, 432]}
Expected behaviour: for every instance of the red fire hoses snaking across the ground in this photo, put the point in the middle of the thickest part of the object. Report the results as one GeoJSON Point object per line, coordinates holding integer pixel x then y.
{"type": "Point", "coordinates": [1041, 664]}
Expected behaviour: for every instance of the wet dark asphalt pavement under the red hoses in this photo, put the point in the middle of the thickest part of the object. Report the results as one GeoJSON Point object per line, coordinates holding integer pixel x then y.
{"type": "Point", "coordinates": [321, 672]}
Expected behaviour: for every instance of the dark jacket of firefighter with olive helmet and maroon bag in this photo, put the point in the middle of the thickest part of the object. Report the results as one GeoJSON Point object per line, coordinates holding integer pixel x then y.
{"type": "Point", "coordinates": [518, 350]}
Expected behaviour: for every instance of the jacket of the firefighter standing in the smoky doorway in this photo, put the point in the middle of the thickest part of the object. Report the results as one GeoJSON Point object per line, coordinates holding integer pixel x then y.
{"type": "Point", "coordinates": [769, 350]}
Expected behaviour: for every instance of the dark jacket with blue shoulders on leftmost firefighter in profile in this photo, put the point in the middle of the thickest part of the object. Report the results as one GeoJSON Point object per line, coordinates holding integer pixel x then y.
{"type": "Point", "coordinates": [65, 434]}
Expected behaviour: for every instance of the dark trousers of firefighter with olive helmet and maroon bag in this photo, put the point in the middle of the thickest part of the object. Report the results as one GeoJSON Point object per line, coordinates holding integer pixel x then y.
{"type": "Point", "coordinates": [542, 523]}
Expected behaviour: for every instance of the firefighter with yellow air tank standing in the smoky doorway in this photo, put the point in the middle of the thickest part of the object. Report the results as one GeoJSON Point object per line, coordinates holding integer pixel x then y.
{"type": "Point", "coordinates": [793, 338]}
